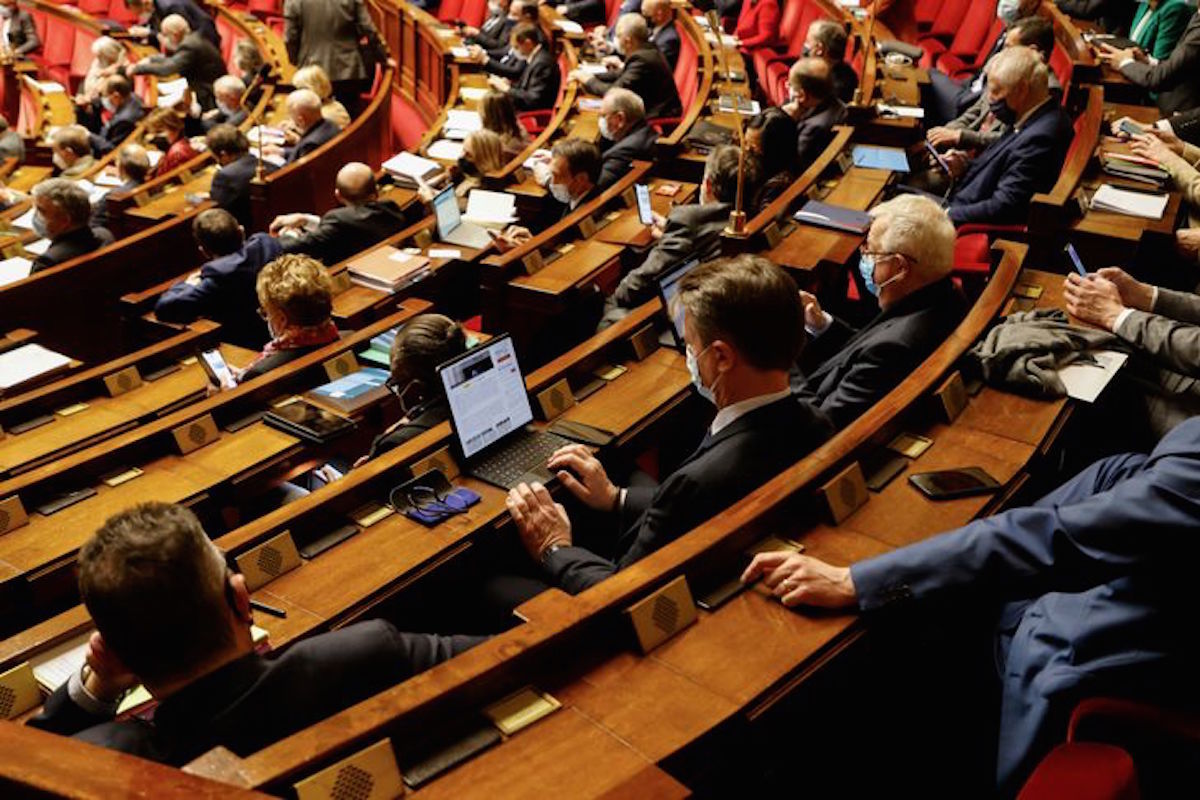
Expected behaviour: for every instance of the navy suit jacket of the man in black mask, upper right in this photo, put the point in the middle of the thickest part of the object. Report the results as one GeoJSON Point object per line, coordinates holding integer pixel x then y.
{"type": "Point", "coordinates": [1003, 179]}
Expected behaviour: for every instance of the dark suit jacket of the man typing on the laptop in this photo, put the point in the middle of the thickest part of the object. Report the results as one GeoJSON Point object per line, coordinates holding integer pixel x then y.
{"type": "Point", "coordinates": [724, 470]}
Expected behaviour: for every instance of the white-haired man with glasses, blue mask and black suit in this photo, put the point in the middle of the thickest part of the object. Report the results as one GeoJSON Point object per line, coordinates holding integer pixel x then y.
{"type": "Point", "coordinates": [907, 263]}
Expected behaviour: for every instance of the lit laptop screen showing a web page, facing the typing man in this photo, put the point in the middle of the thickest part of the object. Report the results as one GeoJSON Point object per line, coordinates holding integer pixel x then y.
{"type": "Point", "coordinates": [488, 395]}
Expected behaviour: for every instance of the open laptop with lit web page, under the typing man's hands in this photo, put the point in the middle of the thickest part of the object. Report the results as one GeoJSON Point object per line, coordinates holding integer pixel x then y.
{"type": "Point", "coordinates": [490, 413]}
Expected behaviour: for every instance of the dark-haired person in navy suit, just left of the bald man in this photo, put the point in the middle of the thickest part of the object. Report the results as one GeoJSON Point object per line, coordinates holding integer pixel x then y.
{"type": "Point", "coordinates": [224, 290]}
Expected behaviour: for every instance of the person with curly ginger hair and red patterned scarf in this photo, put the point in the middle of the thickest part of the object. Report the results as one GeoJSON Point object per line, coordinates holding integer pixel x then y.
{"type": "Point", "coordinates": [296, 298]}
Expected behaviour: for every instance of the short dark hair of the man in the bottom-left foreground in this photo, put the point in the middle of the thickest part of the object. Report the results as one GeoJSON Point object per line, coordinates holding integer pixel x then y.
{"type": "Point", "coordinates": [157, 590]}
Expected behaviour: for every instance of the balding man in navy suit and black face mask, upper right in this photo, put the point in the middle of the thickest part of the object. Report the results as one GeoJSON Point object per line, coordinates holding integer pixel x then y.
{"type": "Point", "coordinates": [997, 185]}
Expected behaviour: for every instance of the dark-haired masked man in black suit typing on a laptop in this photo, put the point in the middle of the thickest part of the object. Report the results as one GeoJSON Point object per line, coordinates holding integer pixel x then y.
{"type": "Point", "coordinates": [742, 323]}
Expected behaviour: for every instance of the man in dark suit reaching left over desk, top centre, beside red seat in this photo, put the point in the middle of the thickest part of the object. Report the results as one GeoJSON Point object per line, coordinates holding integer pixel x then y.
{"type": "Point", "coordinates": [644, 71]}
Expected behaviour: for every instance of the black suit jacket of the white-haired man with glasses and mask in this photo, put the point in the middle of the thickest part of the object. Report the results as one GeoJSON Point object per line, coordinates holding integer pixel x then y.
{"type": "Point", "coordinates": [848, 371]}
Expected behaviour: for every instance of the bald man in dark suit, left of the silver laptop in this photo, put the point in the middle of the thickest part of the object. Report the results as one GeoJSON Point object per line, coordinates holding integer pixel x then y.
{"type": "Point", "coordinates": [362, 221]}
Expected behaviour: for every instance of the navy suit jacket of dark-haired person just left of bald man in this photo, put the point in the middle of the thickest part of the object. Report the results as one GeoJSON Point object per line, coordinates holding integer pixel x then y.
{"type": "Point", "coordinates": [226, 293]}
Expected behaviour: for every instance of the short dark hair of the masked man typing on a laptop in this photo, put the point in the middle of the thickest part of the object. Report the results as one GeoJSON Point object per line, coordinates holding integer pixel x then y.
{"type": "Point", "coordinates": [751, 304]}
